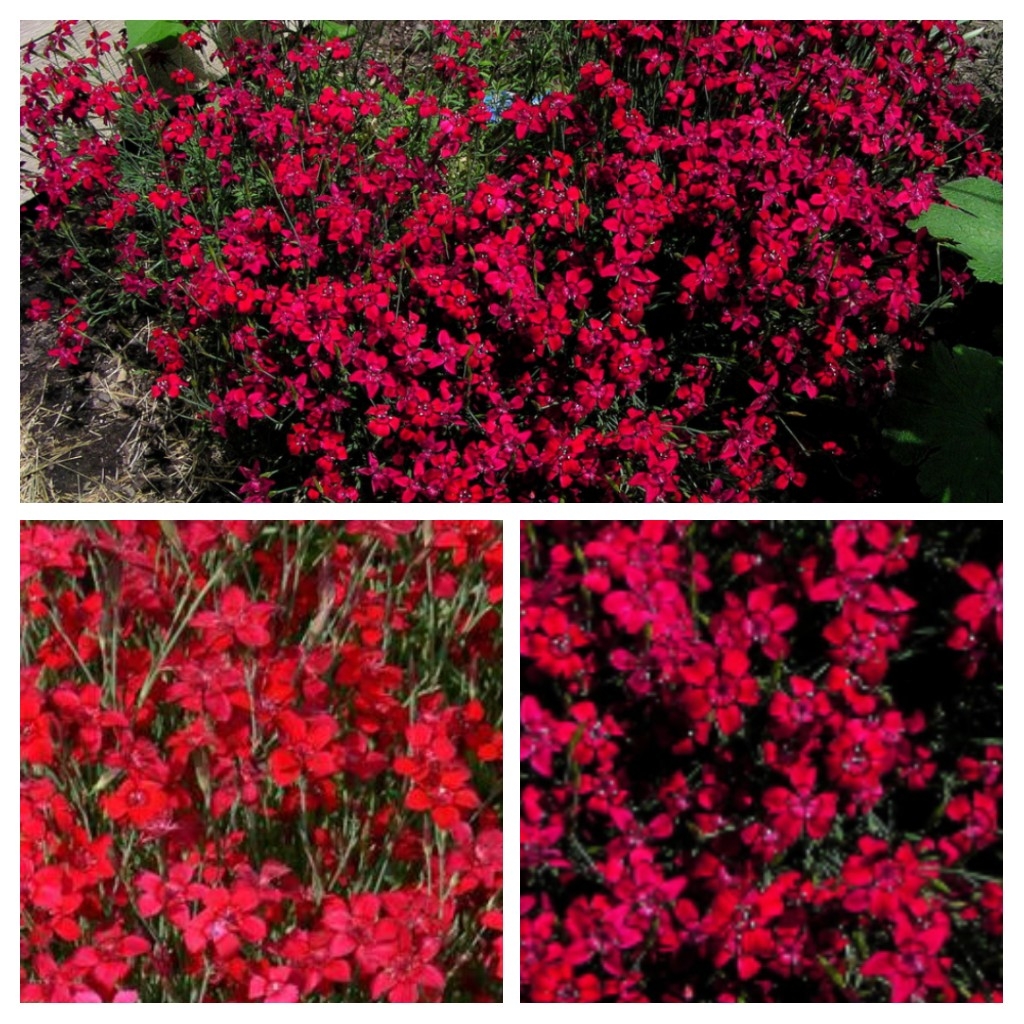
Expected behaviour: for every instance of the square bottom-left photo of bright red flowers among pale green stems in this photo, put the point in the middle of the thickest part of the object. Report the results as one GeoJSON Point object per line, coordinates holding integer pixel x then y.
{"type": "Point", "coordinates": [262, 762]}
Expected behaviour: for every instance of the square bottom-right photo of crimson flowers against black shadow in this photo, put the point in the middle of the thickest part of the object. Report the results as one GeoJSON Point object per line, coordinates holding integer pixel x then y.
{"type": "Point", "coordinates": [761, 762]}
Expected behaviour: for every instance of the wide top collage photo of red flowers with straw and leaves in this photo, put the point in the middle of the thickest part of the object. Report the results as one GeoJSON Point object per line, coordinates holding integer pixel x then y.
{"type": "Point", "coordinates": [501, 262]}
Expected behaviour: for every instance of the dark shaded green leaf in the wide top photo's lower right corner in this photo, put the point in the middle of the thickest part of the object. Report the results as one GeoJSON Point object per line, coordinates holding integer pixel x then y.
{"type": "Point", "coordinates": [948, 419]}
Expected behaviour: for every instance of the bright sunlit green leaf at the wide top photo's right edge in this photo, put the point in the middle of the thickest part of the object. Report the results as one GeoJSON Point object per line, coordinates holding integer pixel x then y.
{"type": "Point", "coordinates": [972, 225]}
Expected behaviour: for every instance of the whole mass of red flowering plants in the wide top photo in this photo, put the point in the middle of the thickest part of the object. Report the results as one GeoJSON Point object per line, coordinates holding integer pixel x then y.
{"type": "Point", "coordinates": [636, 286]}
